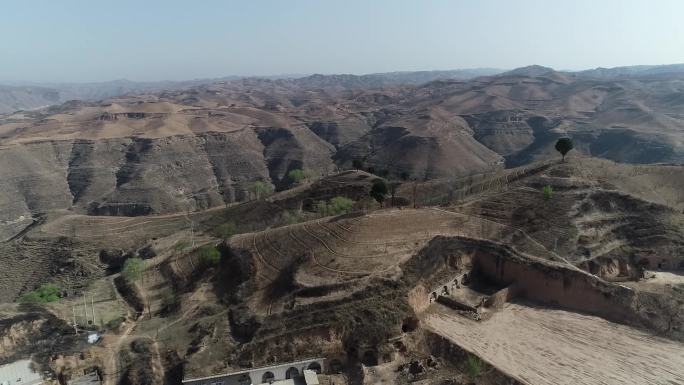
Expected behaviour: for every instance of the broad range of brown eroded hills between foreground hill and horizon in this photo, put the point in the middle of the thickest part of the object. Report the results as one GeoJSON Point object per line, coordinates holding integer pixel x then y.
{"type": "Point", "coordinates": [203, 146]}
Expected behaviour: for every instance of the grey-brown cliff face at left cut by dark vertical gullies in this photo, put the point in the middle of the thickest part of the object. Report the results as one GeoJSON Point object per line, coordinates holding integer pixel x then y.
{"type": "Point", "coordinates": [140, 176]}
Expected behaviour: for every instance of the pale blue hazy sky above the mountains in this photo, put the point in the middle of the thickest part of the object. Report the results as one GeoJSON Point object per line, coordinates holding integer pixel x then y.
{"type": "Point", "coordinates": [95, 40]}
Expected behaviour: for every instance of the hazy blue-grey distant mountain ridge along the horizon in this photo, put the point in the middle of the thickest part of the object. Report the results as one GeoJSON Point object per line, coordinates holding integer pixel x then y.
{"type": "Point", "coordinates": [27, 96]}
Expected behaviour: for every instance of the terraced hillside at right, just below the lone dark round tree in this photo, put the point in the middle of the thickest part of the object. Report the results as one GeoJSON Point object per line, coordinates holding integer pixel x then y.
{"type": "Point", "coordinates": [601, 217]}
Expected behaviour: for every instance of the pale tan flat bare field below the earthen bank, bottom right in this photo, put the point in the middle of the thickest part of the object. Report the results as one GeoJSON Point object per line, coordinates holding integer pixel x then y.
{"type": "Point", "coordinates": [555, 347]}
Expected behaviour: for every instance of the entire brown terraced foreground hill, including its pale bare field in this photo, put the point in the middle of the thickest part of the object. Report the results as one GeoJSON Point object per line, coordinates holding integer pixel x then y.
{"type": "Point", "coordinates": [361, 287]}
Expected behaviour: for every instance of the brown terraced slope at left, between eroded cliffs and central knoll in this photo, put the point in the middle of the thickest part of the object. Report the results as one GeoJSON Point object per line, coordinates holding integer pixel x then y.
{"type": "Point", "coordinates": [75, 249]}
